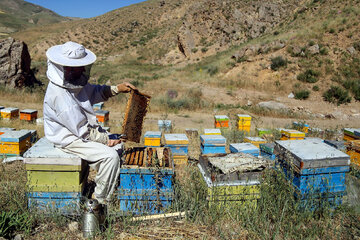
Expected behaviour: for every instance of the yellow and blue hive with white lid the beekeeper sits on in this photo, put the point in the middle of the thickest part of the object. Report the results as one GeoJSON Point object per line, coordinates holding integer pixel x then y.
{"type": "Point", "coordinates": [55, 180]}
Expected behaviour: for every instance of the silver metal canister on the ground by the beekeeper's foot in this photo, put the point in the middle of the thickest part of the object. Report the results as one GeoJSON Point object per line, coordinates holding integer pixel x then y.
{"type": "Point", "coordinates": [93, 217]}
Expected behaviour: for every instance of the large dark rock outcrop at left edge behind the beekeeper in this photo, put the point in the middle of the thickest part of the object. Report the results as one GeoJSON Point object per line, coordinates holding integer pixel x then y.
{"type": "Point", "coordinates": [15, 64]}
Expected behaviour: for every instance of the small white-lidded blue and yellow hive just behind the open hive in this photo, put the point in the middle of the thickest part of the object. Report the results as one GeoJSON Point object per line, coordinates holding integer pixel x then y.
{"type": "Point", "coordinates": [178, 143]}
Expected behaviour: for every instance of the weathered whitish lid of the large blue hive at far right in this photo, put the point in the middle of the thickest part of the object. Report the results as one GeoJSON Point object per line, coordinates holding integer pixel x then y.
{"type": "Point", "coordinates": [311, 153]}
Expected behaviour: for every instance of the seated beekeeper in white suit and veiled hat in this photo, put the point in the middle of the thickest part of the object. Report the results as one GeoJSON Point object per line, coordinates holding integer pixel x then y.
{"type": "Point", "coordinates": [69, 119]}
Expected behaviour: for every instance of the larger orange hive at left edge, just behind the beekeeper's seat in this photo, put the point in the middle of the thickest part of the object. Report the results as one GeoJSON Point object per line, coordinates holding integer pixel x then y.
{"type": "Point", "coordinates": [14, 143]}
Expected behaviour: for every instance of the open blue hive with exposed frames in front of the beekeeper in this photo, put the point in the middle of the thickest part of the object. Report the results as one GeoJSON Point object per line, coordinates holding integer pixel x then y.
{"type": "Point", "coordinates": [146, 188]}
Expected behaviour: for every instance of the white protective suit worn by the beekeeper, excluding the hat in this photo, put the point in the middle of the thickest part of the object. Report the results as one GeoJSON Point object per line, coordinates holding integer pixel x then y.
{"type": "Point", "coordinates": [70, 123]}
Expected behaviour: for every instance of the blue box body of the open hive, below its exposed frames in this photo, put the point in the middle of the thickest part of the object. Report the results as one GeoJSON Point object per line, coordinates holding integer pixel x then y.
{"type": "Point", "coordinates": [145, 190]}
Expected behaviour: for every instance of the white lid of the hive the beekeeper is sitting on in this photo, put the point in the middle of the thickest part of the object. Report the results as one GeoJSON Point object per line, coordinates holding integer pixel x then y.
{"type": "Point", "coordinates": [44, 152]}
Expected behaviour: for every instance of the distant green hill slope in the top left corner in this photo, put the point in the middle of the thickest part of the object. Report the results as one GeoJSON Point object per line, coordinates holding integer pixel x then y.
{"type": "Point", "coordinates": [17, 15]}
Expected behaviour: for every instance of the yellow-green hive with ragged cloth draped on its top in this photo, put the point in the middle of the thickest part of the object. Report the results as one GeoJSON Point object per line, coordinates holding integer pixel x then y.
{"type": "Point", "coordinates": [232, 179]}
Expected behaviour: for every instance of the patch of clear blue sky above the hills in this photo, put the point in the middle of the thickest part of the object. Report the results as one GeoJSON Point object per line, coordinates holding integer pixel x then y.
{"type": "Point", "coordinates": [83, 8]}
